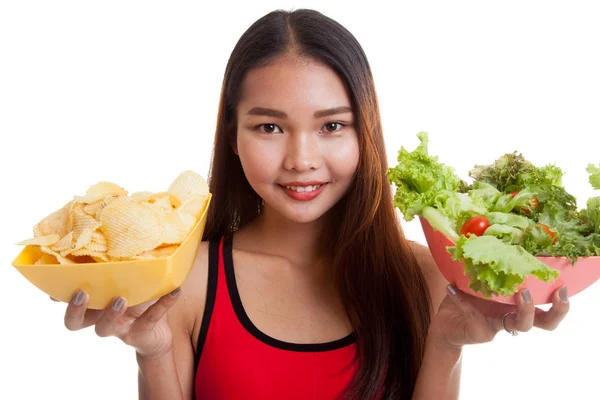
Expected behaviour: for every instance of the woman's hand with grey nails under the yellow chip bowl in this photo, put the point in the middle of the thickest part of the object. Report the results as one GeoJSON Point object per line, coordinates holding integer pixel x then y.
{"type": "Point", "coordinates": [144, 326]}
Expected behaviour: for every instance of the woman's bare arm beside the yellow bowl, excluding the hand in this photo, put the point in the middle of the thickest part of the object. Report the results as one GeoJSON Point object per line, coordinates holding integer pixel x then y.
{"type": "Point", "coordinates": [171, 376]}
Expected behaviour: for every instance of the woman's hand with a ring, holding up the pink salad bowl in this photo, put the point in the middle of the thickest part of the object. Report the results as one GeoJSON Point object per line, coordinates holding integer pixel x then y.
{"type": "Point", "coordinates": [464, 319]}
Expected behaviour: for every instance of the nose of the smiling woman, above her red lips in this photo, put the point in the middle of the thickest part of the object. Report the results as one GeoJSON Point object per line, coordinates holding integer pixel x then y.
{"type": "Point", "coordinates": [303, 152]}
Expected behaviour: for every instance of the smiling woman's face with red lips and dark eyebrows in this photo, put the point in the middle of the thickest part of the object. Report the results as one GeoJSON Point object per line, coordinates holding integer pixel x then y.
{"type": "Point", "coordinates": [296, 138]}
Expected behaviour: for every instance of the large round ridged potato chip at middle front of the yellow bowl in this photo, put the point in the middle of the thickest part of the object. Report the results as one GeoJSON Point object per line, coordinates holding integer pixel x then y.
{"type": "Point", "coordinates": [130, 228]}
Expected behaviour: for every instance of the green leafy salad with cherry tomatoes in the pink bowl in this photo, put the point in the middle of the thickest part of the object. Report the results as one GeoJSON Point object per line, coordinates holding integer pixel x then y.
{"type": "Point", "coordinates": [512, 212]}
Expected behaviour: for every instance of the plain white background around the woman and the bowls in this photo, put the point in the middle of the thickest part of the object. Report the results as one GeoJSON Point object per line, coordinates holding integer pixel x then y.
{"type": "Point", "coordinates": [127, 92]}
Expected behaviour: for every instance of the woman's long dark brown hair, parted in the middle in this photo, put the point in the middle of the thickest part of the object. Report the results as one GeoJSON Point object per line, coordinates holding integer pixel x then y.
{"type": "Point", "coordinates": [376, 274]}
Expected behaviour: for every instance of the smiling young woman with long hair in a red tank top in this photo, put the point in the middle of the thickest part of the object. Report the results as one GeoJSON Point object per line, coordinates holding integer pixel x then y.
{"type": "Point", "coordinates": [305, 286]}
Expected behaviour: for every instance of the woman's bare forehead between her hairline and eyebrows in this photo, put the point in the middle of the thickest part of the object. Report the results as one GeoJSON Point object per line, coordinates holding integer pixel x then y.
{"type": "Point", "coordinates": [293, 85]}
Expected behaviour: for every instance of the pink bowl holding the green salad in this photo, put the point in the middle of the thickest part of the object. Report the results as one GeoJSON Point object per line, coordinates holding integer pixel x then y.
{"type": "Point", "coordinates": [576, 277]}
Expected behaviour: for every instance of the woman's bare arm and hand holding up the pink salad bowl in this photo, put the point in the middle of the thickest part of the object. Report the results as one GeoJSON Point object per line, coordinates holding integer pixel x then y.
{"type": "Point", "coordinates": [459, 319]}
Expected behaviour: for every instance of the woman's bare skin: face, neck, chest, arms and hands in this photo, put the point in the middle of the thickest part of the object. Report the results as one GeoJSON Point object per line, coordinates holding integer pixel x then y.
{"type": "Point", "coordinates": [275, 256]}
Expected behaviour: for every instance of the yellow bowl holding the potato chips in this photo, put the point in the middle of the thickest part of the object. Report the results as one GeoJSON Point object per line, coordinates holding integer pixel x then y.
{"type": "Point", "coordinates": [138, 281]}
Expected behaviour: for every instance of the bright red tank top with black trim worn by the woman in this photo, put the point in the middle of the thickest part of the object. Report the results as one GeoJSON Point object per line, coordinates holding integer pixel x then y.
{"type": "Point", "coordinates": [235, 360]}
